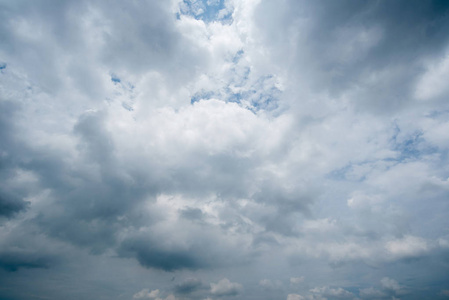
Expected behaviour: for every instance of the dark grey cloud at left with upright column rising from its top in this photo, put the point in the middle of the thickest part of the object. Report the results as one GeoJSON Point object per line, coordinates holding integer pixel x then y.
{"type": "Point", "coordinates": [92, 197]}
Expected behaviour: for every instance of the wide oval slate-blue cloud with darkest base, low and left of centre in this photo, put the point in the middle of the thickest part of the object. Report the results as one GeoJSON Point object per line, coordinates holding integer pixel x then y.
{"type": "Point", "coordinates": [188, 248]}
